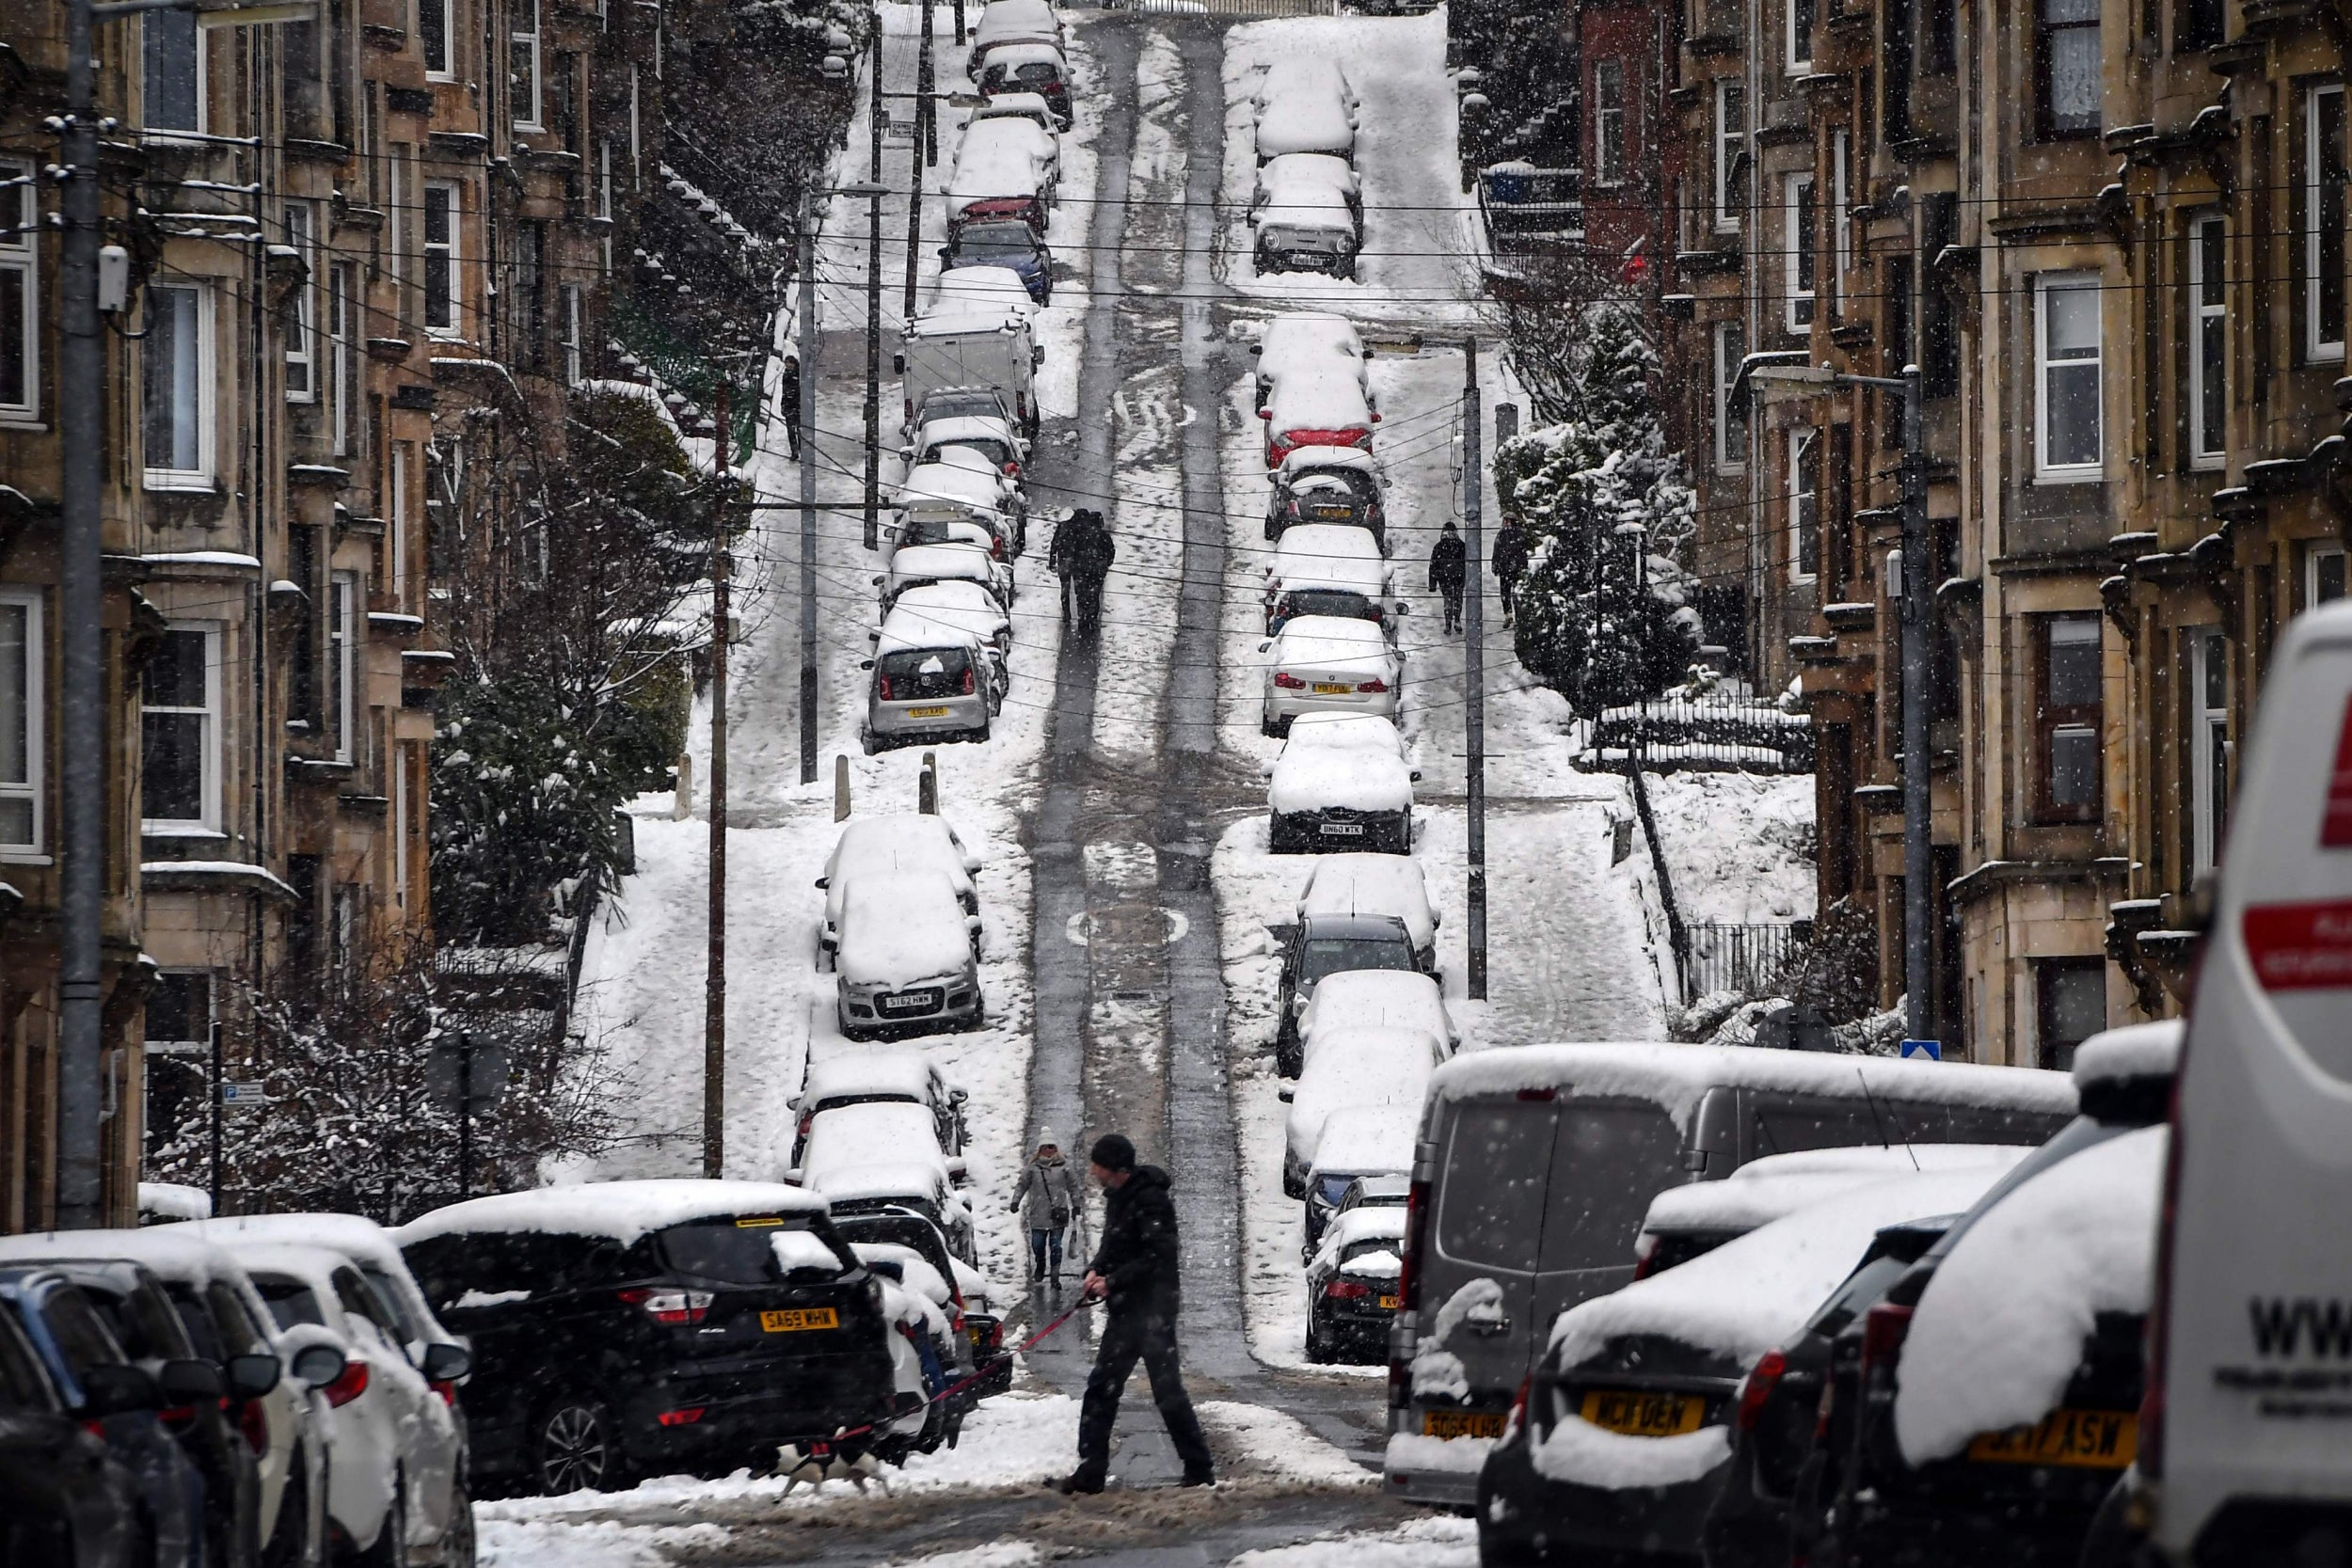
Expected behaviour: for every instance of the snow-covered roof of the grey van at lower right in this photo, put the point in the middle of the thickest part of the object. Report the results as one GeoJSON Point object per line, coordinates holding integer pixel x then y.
{"type": "Point", "coordinates": [1678, 1078]}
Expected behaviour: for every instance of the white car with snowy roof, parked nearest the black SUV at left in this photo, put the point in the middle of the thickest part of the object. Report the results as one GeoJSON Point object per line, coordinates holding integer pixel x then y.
{"type": "Point", "coordinates": [396, 1454]}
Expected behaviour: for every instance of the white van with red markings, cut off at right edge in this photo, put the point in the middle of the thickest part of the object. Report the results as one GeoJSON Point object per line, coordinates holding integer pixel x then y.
{"type": "Point", "coordinates": [2247, 1430]}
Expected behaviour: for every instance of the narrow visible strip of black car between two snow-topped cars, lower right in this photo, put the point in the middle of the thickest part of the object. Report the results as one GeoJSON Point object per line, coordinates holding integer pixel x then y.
{"type": "Point", "coordinates": [1772, 1438]}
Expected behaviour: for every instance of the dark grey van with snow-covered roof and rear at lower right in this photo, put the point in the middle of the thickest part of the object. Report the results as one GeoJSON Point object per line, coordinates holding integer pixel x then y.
{"type": "Point", "coordinates": [1537, 1167]}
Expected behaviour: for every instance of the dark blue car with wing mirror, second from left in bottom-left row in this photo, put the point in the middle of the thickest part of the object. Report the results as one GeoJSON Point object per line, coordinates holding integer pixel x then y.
{"type": "Point", "coordinates": [121, 1405]}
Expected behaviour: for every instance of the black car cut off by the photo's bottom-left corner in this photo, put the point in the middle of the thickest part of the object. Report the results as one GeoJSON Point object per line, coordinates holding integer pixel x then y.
{"type": "Point", "coordinates": [65, 1496]}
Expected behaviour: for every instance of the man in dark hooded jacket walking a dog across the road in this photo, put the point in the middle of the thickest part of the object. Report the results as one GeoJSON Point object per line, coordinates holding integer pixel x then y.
{"type": "Point", "coordinates": [1135, 1273]}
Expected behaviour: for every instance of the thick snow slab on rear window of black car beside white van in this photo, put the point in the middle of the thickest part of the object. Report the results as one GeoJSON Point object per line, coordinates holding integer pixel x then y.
{"type": "Point", "coordinates": [2000, 1327]}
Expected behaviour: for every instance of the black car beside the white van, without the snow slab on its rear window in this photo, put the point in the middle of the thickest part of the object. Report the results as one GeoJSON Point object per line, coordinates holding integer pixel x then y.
{"type": "Point", "coordinates": [2026, 1501]}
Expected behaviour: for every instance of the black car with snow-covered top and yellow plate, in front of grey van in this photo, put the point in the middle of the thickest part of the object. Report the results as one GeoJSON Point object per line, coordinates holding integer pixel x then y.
{"type": "Point", "coordinates": [1622, 1435]}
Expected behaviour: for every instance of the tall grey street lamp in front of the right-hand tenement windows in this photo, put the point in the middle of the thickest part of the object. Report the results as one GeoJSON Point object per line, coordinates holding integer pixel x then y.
{"type": "Point", "coordinates": [1772, 373]}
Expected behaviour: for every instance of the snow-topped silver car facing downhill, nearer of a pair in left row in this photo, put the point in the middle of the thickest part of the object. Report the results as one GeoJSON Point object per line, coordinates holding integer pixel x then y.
{"type": "Point", "coordinates": [907, 958]}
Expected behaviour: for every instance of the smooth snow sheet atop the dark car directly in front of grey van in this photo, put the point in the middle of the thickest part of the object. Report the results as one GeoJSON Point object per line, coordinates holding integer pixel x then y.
{"type": "Point", "coordinates": [1751, 1294]}
